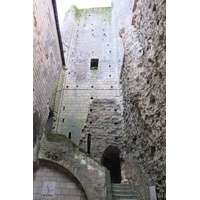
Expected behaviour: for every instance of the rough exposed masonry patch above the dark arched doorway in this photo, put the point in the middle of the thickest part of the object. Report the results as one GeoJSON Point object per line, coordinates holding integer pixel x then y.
{"type": "Point", "coordinates": [104, 123]}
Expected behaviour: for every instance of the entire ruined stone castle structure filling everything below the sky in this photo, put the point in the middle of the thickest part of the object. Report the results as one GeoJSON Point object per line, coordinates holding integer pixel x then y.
{"type": "Point", "coordinates": [99, 101]}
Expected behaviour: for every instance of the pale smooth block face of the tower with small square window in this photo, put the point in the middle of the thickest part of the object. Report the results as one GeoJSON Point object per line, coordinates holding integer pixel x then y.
{"type": "Point", "coordinates": [94, 37]}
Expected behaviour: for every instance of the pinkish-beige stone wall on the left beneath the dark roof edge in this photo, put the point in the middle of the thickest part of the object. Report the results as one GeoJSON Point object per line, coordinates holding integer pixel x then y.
{"type": "Point", "coordinates": [46, 63]}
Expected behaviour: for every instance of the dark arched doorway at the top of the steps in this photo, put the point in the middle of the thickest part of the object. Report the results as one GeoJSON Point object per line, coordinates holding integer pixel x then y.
{"type": "Point", "coordinates": [111, 161]}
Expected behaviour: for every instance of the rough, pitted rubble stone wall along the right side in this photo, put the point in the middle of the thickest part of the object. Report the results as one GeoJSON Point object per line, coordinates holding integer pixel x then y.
{"type": "Point", "coordinates": [143, 78]}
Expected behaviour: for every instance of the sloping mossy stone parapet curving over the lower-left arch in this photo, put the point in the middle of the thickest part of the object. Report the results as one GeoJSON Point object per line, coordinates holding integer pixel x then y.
{"type": "Point", "coordinates": [93, 176]}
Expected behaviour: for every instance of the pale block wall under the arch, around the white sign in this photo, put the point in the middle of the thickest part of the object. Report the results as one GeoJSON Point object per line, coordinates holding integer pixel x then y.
{"type": "Point", "coordinates": [67, 187]}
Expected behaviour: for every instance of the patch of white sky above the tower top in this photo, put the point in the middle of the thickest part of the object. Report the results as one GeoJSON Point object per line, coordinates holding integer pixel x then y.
{"type": "Point", "coordinates": [64, 5]}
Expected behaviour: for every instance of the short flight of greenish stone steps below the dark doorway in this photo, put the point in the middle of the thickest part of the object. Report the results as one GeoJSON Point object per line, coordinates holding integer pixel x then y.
{"type": "Point", "coordinates": [123, 192]}
